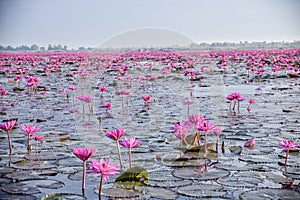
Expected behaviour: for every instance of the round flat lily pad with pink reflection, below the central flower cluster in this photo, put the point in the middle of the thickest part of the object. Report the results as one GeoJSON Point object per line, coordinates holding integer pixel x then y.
{"type": "Point", "coordinates": [200, 173]}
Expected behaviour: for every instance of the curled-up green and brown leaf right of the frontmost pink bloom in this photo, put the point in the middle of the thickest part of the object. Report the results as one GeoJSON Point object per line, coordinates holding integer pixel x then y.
{"type": "Point", "coordinates": [135, 174]}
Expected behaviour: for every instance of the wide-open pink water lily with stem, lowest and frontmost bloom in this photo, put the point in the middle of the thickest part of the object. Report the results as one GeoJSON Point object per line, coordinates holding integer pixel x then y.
{"type": "Point", "coordinates": [105, 169]}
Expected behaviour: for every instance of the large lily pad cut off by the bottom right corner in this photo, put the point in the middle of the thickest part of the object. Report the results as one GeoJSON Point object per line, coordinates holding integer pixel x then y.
{"type": "Point", "coordinates": [270, 194]}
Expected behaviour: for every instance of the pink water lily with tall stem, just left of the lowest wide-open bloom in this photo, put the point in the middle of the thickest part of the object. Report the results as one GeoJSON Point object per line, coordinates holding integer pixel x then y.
{"type": "Point", "coordinates": [84, 154]}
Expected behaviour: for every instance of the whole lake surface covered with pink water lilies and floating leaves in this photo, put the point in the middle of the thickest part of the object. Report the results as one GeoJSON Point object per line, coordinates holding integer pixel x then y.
{"type": "Point", "coordinates": [205, 124]}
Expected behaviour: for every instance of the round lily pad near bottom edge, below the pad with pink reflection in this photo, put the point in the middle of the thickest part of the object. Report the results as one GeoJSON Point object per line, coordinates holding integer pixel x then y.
{"type": "Point", "coordinates": [202, 191]}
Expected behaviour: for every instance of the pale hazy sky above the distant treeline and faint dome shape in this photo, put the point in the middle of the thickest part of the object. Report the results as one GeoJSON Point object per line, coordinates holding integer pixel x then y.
{"type": "Point", "coordinates": [90, 22]}
